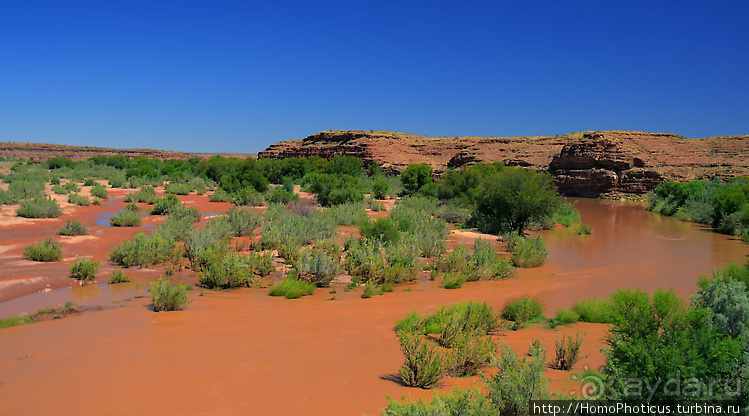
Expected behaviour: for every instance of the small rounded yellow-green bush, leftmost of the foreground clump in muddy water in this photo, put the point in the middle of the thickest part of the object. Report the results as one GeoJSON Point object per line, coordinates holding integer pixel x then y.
{"type": "Point", "coordinates": [424, 364]}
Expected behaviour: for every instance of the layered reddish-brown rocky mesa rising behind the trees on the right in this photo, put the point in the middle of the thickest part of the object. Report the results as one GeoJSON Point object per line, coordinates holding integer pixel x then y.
{"type": "Point", "coordinates": [583, 164]}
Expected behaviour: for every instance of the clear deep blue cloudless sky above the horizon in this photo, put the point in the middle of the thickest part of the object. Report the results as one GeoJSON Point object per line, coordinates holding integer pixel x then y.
{"type": "Point", "coordinates": [236, 76]}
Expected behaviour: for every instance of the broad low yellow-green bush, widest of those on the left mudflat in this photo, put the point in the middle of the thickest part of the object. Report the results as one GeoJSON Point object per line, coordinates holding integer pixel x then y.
{"type": "Point", "coordinates": [144, 251]}
